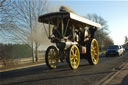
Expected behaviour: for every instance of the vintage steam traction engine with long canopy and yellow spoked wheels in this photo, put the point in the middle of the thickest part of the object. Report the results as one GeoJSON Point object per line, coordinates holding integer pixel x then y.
{"type": "Point", "coordinates": [73, 36]}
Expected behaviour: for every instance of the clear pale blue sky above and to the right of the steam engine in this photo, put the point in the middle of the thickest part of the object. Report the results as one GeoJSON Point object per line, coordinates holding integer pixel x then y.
{"type": "Point", "coordinates": [115, 12]}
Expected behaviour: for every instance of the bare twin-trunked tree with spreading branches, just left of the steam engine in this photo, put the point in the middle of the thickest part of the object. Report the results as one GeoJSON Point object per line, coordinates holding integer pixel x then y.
{"type": "Point", "coordinates": [25, 16]}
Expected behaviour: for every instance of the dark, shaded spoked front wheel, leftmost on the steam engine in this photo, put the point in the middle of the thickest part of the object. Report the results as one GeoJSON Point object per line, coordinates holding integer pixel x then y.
{"type": "Point", "coordinates": [51, 57]}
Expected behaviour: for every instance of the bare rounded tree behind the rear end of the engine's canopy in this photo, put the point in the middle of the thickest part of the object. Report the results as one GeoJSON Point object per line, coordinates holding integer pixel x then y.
{"type": "Point", "coordinates": [102, 34]}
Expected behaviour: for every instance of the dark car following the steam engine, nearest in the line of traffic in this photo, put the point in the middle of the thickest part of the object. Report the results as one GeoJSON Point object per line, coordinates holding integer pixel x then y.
{"type": "Point", "coordinates": [114, 50]}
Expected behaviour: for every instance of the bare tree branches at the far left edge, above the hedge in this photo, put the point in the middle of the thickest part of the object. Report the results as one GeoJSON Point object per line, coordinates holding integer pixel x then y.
{"type": "Point", "coordinates": [6, 18]}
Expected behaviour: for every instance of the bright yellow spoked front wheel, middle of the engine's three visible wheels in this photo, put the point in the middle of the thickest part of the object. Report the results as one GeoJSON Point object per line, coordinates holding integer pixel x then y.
{"type": "Point", "coordinates": [74, 57]}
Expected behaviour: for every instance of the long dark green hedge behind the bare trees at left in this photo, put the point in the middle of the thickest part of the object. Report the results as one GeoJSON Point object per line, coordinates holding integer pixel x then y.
{"type": "Point", "coordinates": [14, 51]}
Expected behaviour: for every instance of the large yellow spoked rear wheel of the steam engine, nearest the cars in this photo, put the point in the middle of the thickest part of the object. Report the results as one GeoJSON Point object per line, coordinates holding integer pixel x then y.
{"type": "Point", "coordinates": [93, 52]}
